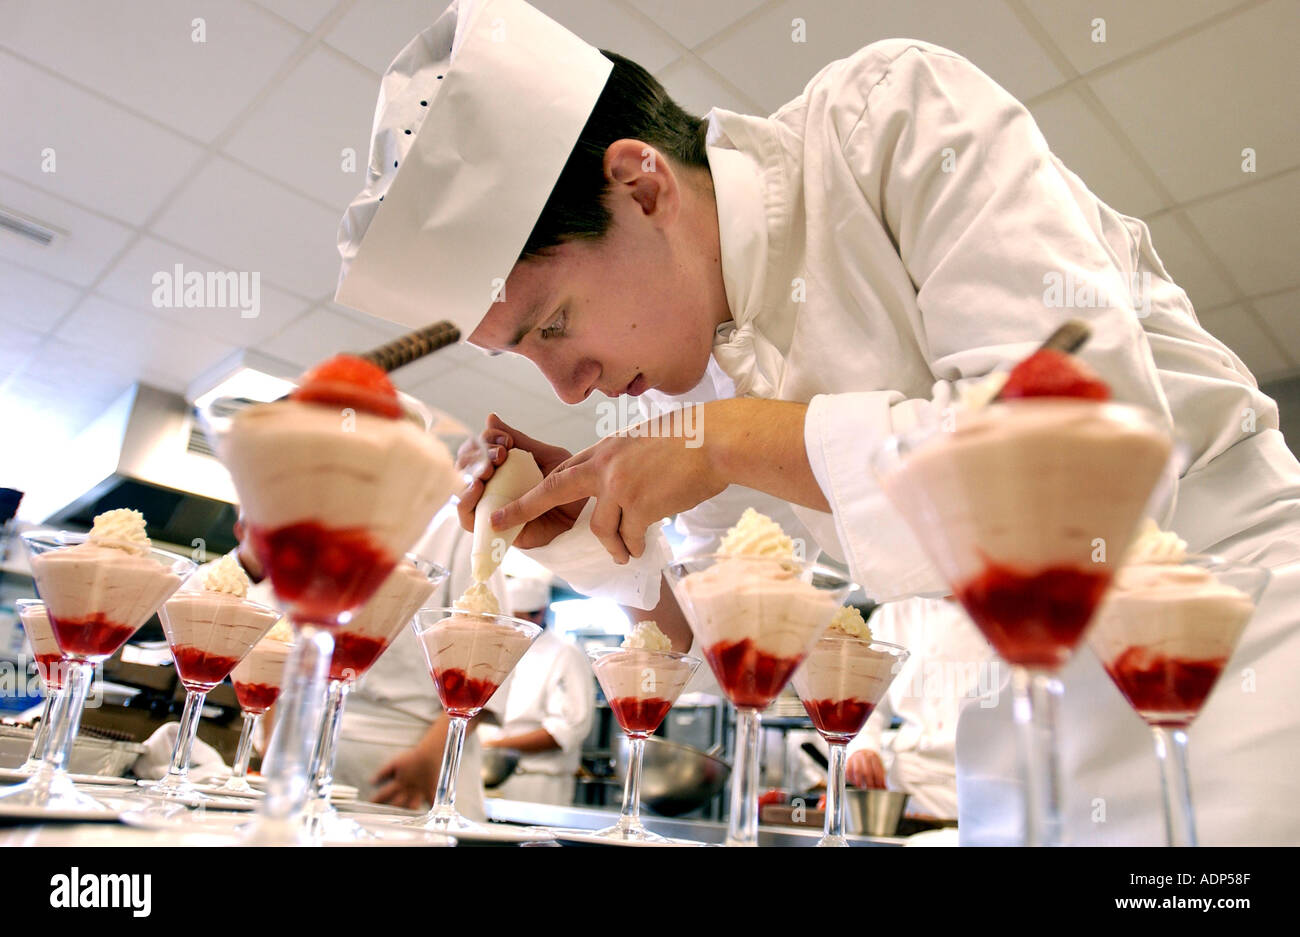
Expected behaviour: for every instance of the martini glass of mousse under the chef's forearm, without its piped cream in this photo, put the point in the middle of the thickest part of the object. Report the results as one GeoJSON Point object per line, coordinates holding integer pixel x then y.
{"type": "Point", "coordinates": [756, 621]}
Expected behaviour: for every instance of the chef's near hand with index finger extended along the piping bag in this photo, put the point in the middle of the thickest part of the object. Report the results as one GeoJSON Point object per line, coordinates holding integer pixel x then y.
{"type": "Point", "coordinates": [638, 478]}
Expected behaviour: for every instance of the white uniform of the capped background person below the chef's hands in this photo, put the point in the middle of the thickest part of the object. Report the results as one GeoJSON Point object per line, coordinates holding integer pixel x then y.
{"type": "Point", "coordinates": [552, 689]}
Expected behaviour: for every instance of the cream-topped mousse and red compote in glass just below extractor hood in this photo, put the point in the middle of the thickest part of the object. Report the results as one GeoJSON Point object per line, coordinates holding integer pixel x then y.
{"type": "Point", "coordinates": [98, 593]}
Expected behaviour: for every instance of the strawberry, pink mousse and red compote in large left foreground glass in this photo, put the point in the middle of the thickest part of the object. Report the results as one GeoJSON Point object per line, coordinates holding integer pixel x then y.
{"type": "Point", "coordinates": [336, 487]}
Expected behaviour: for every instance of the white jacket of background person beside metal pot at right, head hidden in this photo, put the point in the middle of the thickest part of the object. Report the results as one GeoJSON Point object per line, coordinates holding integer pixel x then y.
{"type": "Point", "coordinates": [951, 667]}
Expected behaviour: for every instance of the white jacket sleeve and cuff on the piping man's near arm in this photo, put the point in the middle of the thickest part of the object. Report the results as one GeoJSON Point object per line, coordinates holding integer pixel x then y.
{"type": "Point", "coordinates": [986, 223]}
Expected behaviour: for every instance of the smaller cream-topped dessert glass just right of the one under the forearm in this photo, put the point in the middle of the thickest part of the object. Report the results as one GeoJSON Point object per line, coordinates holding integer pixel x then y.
{"type": "Point", "coordinates": [840, 683]}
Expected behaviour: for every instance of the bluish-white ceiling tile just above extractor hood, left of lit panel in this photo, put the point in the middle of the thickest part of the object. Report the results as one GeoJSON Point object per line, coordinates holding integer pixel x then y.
{"type": "Point", "coordinates": [151, 349]}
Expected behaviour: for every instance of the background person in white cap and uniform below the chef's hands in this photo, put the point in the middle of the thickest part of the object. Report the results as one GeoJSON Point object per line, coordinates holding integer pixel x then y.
{"type": "Point", "coordinates": [549, 704]}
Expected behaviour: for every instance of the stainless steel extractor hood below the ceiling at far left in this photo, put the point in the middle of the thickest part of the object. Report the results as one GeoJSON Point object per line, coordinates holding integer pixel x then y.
{"type": "Point", "coordinates": [148, 452]}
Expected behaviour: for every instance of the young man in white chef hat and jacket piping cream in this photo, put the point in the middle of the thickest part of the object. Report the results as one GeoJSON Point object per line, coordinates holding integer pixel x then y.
{"type": "Point", "coordinates": [847, 266]}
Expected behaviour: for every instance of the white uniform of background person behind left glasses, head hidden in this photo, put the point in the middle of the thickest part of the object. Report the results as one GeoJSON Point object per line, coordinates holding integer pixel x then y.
{"type": "Point", "coordinates": [393, 706]}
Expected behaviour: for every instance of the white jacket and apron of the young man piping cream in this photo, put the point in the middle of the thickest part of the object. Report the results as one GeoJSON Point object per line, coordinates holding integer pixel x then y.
{"type": "Point", "coordinates": [892, 233]}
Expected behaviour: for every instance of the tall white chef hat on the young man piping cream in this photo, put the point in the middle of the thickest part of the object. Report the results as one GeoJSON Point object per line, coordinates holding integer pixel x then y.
{"type": "Point", "coordinates": [475, 122]}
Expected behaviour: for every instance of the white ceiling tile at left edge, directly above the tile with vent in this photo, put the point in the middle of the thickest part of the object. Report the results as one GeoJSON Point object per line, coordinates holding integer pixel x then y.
{"type": "Point", "coordinates": [103, 158]}
